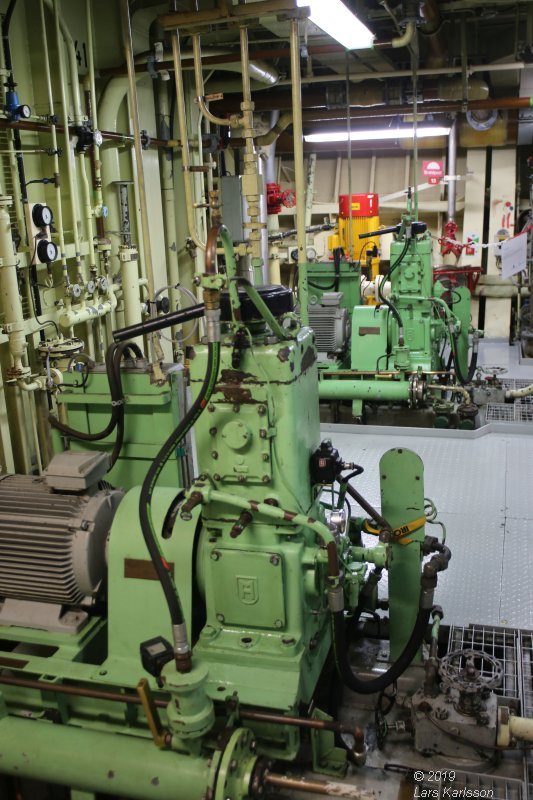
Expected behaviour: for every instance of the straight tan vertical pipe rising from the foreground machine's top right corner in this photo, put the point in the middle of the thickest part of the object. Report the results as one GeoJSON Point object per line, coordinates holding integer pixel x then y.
{"type": "Point", "coordinates": [297, 128]}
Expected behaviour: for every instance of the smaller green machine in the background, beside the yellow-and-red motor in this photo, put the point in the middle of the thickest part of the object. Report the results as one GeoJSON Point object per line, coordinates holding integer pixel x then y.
{"type": "Point", "coordinates": [399, 350]}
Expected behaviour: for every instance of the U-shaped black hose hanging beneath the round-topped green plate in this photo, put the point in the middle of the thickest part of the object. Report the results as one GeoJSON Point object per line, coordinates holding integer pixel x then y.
{"type": "Point", "coordinates": [380, 683]}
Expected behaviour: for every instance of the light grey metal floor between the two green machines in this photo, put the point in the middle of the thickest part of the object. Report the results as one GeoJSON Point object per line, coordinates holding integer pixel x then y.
{"type": "Point", "coordinates": [482, 485]}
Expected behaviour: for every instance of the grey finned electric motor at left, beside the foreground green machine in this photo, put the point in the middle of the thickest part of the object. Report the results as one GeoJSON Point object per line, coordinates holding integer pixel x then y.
{"type": "Point", "coordinates": [53, 531]}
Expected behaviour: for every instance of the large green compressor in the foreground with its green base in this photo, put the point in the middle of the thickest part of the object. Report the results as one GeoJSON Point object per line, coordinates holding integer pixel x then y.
{"type": "Point", "coordinates": [266, 570]}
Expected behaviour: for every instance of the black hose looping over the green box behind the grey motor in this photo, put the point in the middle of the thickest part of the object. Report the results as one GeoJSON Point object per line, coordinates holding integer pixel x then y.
{"type": "Point", "coordinates": [115, 353]}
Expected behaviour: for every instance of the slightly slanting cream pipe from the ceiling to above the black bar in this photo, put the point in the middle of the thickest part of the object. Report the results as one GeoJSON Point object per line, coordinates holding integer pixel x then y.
{"type": "Point", "coordinates": [134, 114]}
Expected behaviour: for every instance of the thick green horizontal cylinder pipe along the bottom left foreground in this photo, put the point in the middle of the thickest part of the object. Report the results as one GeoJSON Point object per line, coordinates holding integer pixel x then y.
{"type": "Point", "coordinates": [95, 761]}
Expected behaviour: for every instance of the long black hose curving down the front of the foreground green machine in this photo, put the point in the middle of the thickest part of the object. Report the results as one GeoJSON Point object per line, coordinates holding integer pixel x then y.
{"type": "Point", "coordinates": [145, 513]}
